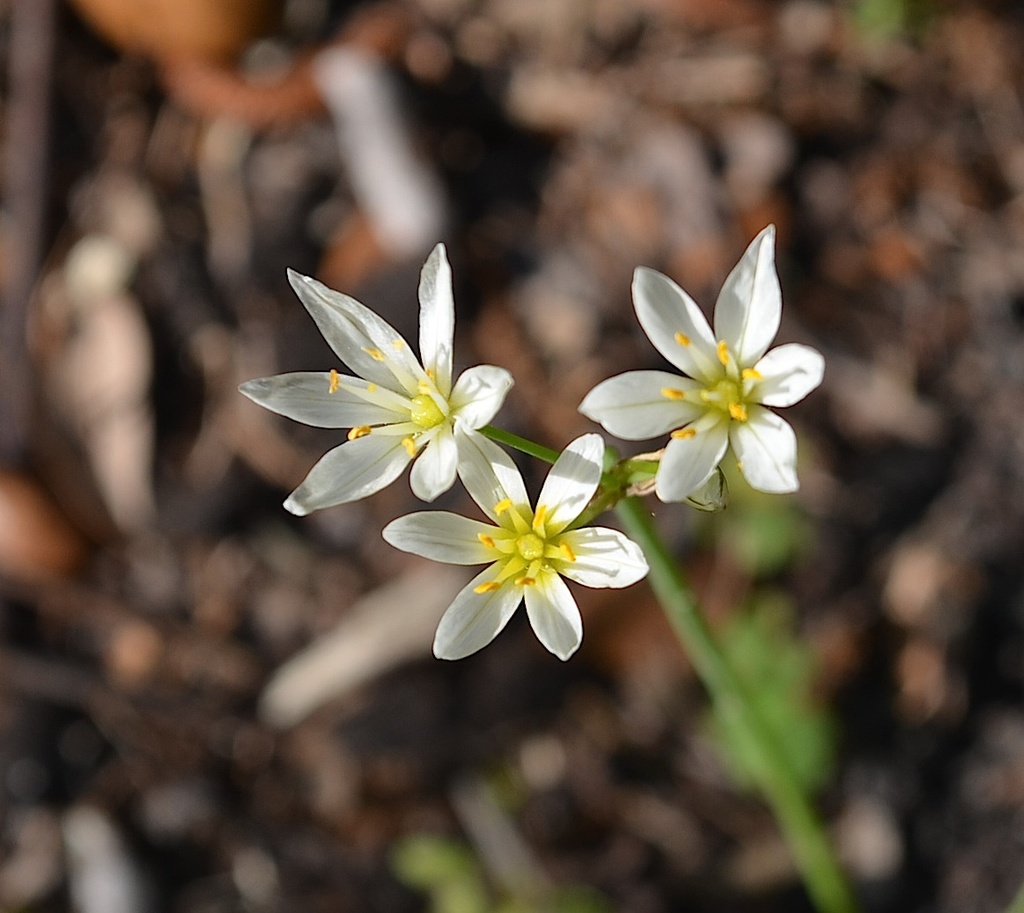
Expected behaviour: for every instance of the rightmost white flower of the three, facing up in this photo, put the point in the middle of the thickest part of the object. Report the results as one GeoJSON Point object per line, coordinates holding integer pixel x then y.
{"type": "Point", "coordinates": [731, 380]}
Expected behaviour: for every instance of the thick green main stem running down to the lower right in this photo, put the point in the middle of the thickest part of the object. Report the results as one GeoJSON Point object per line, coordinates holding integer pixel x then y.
{"type": "Point", "coordinates": [807, 839]}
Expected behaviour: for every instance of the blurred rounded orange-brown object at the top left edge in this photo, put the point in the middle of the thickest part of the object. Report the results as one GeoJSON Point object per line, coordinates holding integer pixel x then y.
{"type": "Point", "coordinates": [209, 30]}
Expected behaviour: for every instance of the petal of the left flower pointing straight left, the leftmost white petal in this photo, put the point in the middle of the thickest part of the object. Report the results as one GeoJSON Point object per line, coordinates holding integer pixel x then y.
{"type": "Point", "coordinates": [306, 398]}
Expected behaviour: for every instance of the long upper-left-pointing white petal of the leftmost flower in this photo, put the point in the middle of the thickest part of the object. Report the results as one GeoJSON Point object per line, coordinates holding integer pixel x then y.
{"type": "Point", "coordinates": [354, 332]}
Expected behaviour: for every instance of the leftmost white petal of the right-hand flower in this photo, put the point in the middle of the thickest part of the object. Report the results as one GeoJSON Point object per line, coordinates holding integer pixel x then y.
{"type": "Point", "coordinates": [632, 406]}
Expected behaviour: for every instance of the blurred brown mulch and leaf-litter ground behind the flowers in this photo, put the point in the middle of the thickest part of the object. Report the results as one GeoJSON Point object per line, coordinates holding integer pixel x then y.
{"type": "Point", "coordinates": [166, 162]}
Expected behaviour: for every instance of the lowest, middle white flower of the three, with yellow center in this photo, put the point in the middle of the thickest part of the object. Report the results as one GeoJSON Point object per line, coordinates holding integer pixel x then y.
{"type": "Point", "coordinates": [528, 552]}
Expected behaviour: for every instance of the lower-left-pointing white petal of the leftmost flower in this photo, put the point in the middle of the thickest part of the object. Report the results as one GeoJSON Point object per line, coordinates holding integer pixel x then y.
{"type": "Point", "coordinates": [350, 472]}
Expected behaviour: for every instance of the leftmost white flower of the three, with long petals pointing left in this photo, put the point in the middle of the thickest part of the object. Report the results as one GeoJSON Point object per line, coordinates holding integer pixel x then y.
{"type": "Point", "coordinates": [398, 410]}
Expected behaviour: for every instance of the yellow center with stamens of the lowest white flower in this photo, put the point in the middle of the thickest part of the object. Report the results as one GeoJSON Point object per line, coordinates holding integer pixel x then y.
{"type": "Point", "coordinates": [524, 550]}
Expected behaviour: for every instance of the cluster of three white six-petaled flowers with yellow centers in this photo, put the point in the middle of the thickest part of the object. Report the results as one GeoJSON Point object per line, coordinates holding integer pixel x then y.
{"type": "Point", "coordinates": [402, 412]}
